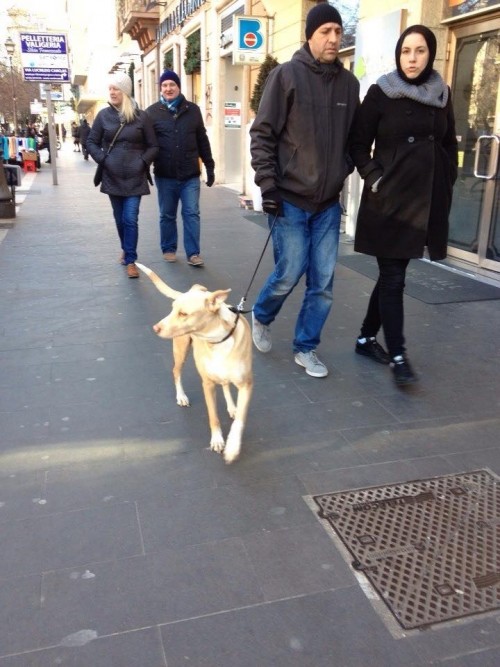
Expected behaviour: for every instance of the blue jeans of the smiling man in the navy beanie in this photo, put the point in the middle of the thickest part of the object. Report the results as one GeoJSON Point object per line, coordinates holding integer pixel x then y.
{"type": "Point", "coordinates": [170, 191]}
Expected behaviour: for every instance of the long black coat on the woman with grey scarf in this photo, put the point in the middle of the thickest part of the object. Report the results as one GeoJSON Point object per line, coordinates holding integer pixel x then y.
{"type": "Point", "coordinates": [415, 153]}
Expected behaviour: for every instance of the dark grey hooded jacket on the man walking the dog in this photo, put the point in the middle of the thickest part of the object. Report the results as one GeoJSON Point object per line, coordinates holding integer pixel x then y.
{"type": "Point", "coordinates": [299, 136]}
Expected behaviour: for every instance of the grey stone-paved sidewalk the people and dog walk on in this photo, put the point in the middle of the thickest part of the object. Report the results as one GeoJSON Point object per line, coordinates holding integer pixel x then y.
{"type": "Point", "coordinates": [124, 542]}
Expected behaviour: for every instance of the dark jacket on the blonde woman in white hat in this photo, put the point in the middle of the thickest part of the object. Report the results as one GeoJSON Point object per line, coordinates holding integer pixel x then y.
{"type": "Point", "coordinates": [127, 166]}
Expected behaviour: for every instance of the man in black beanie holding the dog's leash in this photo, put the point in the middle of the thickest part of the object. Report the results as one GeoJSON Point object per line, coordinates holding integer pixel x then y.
{"type": "Point", "coordinates": [299, 153]}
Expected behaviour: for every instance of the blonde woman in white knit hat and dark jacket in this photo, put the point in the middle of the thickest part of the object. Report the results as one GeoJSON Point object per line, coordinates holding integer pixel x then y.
{"type": "Point", "coordinates": [123, 140]}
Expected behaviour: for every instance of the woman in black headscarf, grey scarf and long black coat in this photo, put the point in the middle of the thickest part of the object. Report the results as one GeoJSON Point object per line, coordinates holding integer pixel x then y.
{"type": "Point", "coordinates": [408, 180]}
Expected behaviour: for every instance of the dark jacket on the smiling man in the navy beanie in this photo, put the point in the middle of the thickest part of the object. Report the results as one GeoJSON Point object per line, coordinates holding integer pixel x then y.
{"type": "Point", "coordinates": [182, 139]}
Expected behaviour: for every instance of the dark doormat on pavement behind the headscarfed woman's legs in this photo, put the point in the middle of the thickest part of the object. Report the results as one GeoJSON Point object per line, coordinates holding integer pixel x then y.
{"type": "Point", "coordinates": [428, 282]}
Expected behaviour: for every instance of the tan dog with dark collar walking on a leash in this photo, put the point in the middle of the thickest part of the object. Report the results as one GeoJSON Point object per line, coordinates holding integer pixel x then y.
{"type": "Point", "coordinates": [222, 347]}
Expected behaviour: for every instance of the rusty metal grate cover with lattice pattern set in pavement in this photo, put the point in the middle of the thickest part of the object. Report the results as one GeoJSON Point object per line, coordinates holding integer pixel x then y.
{"type": "Point", "coordinates": [430, 548]}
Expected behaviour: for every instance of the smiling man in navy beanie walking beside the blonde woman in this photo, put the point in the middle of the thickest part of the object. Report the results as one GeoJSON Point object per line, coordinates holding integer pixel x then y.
{"type": "Point", "coordinates": [183, 141]}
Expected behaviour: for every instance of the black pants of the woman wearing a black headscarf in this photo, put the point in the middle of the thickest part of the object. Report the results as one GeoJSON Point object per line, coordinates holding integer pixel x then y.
{"type": "Point", "coordinates": [385, 308]}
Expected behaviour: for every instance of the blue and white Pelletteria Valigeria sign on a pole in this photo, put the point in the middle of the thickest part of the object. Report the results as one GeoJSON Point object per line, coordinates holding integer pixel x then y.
{"type": "Point", "coordinates": [44, 57]}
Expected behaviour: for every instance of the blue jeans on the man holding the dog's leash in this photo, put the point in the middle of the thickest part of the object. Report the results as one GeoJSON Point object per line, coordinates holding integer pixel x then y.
{"type": "Point", "coordinates": [303, 243]}
